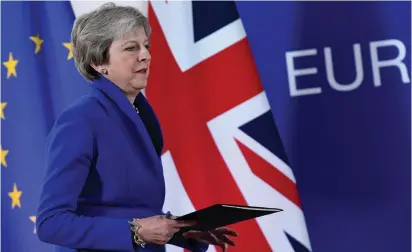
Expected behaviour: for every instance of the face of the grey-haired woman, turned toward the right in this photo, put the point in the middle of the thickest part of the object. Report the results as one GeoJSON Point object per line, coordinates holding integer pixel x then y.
{"type": "Point", "coordinates": [129, 62]}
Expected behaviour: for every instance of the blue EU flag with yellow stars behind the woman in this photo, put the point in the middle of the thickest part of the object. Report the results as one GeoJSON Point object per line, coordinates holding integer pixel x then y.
{"type": "Point", "coordinates": [39, 79]}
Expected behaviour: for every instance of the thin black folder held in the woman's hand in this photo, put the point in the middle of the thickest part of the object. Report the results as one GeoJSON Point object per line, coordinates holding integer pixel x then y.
{"type": "Point", "coordinates": [220, 215]}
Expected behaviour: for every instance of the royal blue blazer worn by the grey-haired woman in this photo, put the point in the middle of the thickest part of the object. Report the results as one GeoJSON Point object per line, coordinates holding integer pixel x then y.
{"type": "Point", "coordinates": [103, 167]}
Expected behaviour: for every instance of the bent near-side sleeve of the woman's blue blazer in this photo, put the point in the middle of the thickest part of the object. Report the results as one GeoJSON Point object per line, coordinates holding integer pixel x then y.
{"type": "Point", "coordinates": [69, 156]}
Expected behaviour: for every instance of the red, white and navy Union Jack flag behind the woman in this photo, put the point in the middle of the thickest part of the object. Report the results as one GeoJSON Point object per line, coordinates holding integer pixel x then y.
{"type": "Point", "coordinates": [221, 142]}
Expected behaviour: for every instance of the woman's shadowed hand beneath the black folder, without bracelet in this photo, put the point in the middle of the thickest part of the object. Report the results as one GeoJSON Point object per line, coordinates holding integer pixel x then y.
{"type": "Point", "coordinates": [216, 237]}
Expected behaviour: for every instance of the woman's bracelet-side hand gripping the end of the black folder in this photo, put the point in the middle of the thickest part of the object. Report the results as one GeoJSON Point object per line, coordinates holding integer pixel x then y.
{"type": "Point", "coordinates": [159, 229]}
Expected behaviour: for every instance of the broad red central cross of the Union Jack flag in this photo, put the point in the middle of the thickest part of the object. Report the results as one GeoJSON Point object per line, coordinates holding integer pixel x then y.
{"type": "Point", "coordinates": [184, 103]}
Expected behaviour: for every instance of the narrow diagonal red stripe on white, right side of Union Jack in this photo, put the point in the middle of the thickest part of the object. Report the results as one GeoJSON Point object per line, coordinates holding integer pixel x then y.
{"type": "Point", "coordinates": [270, 174]}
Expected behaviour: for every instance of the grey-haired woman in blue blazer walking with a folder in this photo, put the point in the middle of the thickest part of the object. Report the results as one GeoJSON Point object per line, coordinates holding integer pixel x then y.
{"type": "Point", "coordinates": [104, 186]}
